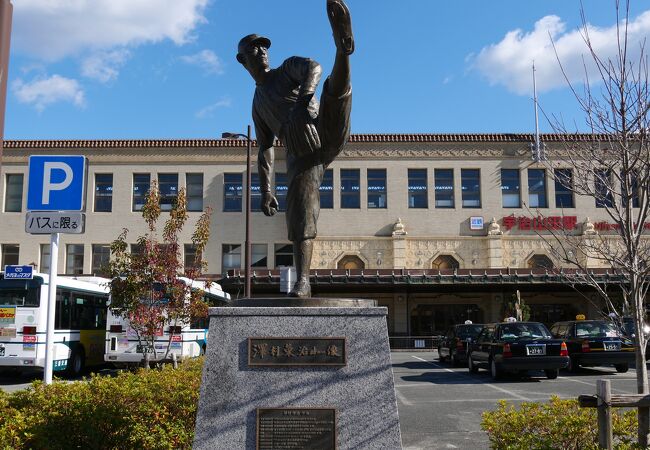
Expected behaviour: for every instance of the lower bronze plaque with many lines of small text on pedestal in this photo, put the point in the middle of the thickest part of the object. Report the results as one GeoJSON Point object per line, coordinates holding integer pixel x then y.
{"type": "Point", "coordinates": [296, 428]}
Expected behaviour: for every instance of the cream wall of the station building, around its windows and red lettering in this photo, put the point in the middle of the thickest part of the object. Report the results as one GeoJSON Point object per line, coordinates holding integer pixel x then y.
{"type": "Point", "coordinates": [364, 232]}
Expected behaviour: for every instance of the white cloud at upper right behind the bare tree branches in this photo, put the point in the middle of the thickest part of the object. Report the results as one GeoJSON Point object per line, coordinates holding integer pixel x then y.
{"type": "Point", "coordinates": [509, 62]}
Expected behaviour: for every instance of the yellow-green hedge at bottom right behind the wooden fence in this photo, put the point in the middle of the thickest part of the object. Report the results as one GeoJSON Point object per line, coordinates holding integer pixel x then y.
{"type": "Point", "coordinates": [558, 424]}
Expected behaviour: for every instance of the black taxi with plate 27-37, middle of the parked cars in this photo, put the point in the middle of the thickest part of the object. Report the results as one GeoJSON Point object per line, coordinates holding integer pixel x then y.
{"type": "Point", "coordinates": [517, 347]}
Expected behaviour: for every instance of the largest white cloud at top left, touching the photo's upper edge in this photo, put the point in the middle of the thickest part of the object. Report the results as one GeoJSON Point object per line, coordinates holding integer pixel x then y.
{"type": "Point", "coordinates": [54, 29]}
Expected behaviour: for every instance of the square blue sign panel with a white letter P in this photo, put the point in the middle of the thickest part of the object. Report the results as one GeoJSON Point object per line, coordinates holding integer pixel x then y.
{"type": "Point", "coordinates": [56, 183]}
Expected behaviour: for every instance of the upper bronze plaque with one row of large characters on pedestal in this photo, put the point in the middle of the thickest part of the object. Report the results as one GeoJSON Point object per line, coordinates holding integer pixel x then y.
{"type": "Point", "coordinates": [297, 351]}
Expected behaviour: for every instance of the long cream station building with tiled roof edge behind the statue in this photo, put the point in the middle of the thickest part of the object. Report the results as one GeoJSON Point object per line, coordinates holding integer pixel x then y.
{"type": "Point", "coordinates": [439, 228]}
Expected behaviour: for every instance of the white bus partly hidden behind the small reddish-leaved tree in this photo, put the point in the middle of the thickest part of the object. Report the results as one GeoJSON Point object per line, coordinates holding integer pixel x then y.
{"type": "Point", "coordinates": [188, 340]}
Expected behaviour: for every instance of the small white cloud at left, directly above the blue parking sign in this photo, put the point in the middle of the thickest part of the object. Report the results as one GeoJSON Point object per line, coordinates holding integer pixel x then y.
{"type": "Point", "coordinates": [42, 92]}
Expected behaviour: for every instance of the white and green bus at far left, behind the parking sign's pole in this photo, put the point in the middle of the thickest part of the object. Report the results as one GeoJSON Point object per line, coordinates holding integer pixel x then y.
{"type": "Point", "coordinates": [79, 327]}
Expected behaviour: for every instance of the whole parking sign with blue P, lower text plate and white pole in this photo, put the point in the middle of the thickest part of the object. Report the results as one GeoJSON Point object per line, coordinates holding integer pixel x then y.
{"type": "Point", "coordinates": [55, 194]}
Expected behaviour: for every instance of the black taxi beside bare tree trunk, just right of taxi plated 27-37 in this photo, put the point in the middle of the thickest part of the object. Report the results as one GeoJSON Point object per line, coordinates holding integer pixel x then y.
{"type": "Point", "coordinates": [595, 343]}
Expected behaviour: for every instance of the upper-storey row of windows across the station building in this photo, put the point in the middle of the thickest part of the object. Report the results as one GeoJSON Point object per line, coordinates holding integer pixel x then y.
{"type": "Point", "coordinates": [350, 189]}
